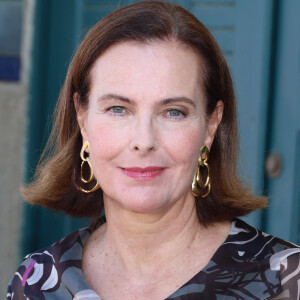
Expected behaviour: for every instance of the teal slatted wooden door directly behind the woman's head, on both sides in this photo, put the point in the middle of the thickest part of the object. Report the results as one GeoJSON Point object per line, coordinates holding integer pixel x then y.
{"type": "Point", "coordinates": [243, 29]}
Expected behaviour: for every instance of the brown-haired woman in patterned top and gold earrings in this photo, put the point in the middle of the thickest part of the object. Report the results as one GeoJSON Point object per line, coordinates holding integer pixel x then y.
{"type": "Point", "coordinates": [146, 129]}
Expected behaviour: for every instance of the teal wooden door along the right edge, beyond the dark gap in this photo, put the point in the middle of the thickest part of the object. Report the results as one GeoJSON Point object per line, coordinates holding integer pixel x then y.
{"type": "Point", "coordinates": [283, 216]}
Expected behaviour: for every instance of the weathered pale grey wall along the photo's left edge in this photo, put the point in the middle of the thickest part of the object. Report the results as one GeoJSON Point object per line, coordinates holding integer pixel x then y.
{"type": "Point", "coordinates": [13, 102]}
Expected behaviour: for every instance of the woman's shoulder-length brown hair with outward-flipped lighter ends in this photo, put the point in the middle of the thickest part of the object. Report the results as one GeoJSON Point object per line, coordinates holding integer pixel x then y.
{"type": "Point", "coordinates": [57, 175]}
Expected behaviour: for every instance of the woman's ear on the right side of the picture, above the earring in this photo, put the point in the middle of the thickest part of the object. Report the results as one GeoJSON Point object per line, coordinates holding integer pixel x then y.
{"type": "Point", "coordinates": [213, 123]}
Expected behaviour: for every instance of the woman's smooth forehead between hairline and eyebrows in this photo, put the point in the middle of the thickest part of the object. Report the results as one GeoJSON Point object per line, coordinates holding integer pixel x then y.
{"type": "Point", "coordinates": [162, 67]}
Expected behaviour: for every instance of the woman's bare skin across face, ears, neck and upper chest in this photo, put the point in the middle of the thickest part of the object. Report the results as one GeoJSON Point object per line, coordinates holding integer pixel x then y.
{"type": "Point", "coordinates": [147, 108]}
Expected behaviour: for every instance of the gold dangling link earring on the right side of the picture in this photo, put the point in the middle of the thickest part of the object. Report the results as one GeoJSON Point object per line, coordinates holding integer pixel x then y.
{"type": "Point", "coordinates": [197, 180]}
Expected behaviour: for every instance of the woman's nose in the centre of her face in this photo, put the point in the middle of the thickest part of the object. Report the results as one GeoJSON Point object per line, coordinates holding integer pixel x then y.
{"type": "Point", "coordinates": [144, 137]}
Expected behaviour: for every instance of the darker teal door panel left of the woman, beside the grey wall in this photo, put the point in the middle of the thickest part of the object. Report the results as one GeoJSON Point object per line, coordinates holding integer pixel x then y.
{"type": "Point", "coordinates": [54, 40]}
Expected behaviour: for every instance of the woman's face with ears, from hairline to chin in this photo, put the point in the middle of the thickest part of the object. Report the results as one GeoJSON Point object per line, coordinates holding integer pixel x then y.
{"type": "Point", "coordinates": [146, 123]}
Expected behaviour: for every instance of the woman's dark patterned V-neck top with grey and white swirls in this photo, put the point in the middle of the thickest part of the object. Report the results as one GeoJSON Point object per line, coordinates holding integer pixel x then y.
{"type": "Point", "coordinates": [248, 265]}
